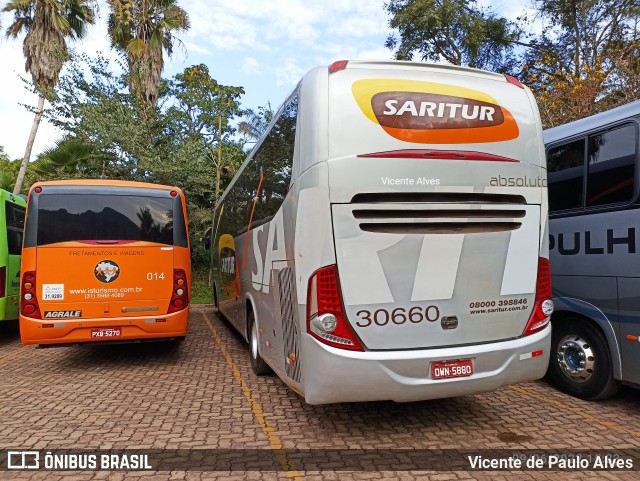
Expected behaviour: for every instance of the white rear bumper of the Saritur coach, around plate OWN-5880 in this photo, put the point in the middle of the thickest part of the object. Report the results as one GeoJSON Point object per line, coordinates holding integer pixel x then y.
{"type": "Point", "coordinates": [333, 375]}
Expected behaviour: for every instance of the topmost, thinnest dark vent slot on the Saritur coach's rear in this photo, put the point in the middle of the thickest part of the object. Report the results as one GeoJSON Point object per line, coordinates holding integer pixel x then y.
{"type": "Point", "coordinates": [437, 198]}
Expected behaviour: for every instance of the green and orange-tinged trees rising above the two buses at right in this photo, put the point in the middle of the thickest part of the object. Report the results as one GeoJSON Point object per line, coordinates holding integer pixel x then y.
{"type": "Point", "coordinates": [585, 60]}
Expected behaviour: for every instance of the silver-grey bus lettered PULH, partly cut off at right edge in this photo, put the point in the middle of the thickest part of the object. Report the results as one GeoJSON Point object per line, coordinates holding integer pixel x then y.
{"type": "Point", "coordinates": [594, 240]}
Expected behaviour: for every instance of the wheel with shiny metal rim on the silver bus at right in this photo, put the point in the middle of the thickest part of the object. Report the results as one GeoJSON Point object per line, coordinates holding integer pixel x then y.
{"type": "Point", "coordinates": [580, 361]}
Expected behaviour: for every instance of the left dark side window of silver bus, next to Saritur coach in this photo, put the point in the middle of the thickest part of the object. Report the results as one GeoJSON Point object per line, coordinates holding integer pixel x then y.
{"type": "Point", "coordinates": [565, 165]}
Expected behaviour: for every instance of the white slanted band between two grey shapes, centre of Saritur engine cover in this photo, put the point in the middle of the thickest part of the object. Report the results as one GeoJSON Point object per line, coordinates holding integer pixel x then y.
{"type": "Point", "coordinates": [437, 267]}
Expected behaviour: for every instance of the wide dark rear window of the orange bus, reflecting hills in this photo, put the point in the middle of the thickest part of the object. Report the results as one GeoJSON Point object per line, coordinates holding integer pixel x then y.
{"type": "Point", "coordinates": [79, 217]}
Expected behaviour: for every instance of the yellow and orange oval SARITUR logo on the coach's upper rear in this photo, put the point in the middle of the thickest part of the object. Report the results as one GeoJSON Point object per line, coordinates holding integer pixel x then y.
{"type": "Point", "coordinates": [426, 112]}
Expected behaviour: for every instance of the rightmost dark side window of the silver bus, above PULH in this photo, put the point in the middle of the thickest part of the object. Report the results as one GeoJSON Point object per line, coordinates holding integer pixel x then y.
{"type": "Point", "coordinates": [611, 166]}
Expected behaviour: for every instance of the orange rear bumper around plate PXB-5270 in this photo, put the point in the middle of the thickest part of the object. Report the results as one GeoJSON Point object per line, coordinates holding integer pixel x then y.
{"type": "Point", "coordinates": [71, 331]}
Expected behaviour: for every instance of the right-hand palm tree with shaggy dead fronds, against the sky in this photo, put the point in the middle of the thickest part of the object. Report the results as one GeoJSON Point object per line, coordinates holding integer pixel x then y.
{"type": "Point", "coordinates": [143, 29]}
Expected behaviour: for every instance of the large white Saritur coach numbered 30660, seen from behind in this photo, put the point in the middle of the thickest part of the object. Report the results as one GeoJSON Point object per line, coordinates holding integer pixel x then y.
{"type": "Point", "coordinates": [386, 238]}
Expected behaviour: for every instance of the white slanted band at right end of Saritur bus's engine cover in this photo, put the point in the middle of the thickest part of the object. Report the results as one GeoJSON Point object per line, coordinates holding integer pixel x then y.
{"type": "Point", "coordinates": [521, 265]}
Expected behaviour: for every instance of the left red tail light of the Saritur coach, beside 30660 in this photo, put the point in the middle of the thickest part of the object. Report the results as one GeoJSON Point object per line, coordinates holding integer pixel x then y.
{"type": "Point", "coordinates": [326, 320]}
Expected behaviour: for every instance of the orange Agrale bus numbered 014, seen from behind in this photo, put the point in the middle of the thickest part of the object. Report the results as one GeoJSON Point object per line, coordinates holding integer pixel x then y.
{"type": "Point", "coordinates": [104, 261]}
